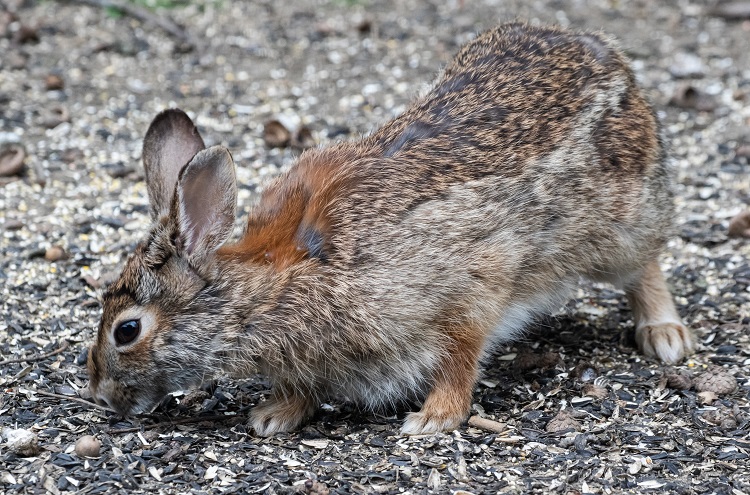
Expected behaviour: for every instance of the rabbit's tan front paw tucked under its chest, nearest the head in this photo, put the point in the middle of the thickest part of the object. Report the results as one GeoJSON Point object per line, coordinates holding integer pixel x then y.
{"type": "Point", "coordinates": [279, 414]}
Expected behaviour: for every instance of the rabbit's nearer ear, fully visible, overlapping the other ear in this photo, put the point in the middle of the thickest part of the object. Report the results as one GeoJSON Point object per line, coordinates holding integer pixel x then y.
{"type": "Point", "coordinates": [205, 203]}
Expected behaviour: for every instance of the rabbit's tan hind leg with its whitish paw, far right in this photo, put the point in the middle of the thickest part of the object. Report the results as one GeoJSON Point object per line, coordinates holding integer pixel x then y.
{"type": "Point", "coordinates": [659, 331]}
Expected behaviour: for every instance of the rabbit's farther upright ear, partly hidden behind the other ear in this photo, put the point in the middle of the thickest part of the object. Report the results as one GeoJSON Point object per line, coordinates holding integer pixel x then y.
{"type": "Point", "coordinates": [170, 142]}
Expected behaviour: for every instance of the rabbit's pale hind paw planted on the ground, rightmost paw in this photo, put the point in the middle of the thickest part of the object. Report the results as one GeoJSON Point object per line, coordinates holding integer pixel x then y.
{"type": "Point", "coordinates": [670, 342]}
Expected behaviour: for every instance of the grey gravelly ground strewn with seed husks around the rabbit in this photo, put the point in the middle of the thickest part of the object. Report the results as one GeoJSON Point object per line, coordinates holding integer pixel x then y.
{"type": "Point", "coordinates": [571, 409]}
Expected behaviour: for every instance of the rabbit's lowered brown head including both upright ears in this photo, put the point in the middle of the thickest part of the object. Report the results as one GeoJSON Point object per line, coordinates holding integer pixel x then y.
{"type": "Point", "coordinates": [162, 319]}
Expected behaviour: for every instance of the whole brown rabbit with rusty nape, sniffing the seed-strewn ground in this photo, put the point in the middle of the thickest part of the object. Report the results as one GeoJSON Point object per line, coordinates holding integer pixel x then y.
{"type": "Point", "coordinates": [385, 270]}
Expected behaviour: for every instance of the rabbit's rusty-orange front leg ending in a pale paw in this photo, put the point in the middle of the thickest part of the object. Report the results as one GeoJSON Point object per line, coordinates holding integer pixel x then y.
{"type": "Point", "coordinates": [448, 403]}
